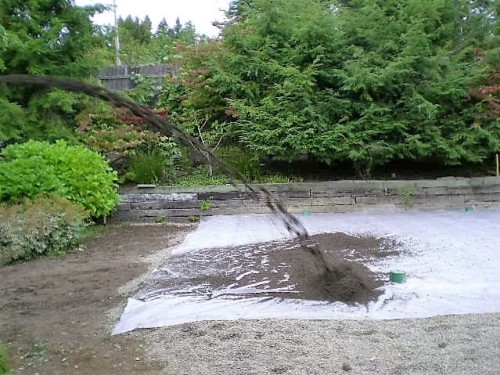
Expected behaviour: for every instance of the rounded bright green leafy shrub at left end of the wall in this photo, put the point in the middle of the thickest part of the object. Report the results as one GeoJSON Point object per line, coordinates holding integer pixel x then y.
{"type": "Point", "coordinates": [73, 172]}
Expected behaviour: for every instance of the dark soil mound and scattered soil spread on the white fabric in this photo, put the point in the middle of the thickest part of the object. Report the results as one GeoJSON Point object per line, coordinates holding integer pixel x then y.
{"type": "Point", "coordinates": [329, 267]}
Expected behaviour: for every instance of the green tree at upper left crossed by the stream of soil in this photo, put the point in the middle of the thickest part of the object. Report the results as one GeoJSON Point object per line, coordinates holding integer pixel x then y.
{"type": "Point", "coordinates": [50, 37]}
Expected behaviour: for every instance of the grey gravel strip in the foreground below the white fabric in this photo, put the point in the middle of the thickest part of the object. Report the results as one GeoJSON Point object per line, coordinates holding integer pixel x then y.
{"type": "Point", "coordinates": [455, 345]}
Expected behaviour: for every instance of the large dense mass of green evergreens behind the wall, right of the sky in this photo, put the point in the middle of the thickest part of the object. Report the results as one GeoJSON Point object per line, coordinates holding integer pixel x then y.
{"type": "Point", "coordinates": [367, 82]}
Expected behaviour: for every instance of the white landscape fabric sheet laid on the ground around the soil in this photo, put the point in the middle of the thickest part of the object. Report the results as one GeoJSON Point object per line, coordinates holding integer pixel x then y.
{"type": "Point", "coordinates": [452, 259]}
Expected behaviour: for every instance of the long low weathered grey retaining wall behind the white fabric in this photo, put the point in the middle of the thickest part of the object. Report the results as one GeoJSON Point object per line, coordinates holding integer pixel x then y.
{"type": "Point", "coordinates": [187, 204]}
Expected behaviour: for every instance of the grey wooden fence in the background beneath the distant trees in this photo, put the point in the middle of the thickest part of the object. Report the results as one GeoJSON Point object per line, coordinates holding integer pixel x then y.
{"type": "Point", "coordinates": [121, 78]}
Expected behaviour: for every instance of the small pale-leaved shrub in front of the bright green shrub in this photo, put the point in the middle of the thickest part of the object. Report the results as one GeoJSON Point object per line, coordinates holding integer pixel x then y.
{"type": "Point", "coordinates": [46, 226]}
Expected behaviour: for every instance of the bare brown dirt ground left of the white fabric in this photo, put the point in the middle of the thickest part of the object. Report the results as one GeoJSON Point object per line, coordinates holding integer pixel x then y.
{"type": "Point", "coordinates": [54, 313]}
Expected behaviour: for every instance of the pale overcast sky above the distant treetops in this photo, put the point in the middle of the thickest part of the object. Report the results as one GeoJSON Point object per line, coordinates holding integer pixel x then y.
{"type": "Point", "coordinates": [200, 12]}
